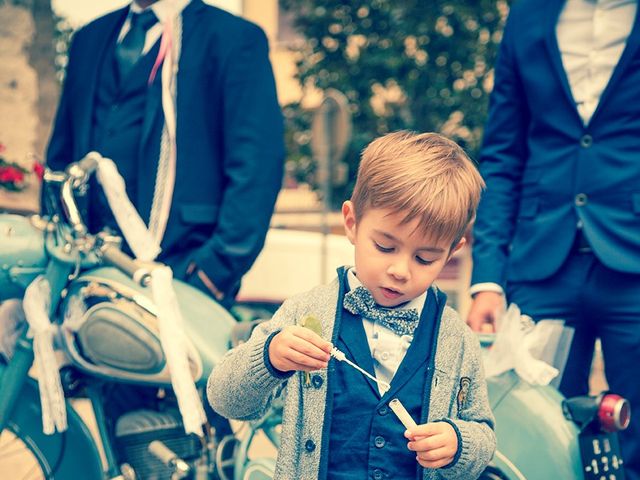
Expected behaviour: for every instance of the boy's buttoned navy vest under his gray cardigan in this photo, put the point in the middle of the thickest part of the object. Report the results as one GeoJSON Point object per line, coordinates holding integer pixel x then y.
{"type": "Point", "coordinates": [366, 440]}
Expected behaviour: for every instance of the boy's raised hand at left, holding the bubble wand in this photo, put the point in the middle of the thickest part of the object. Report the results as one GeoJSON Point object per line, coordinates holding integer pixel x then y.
{"type": "Point", "coordinates": [298, 348]}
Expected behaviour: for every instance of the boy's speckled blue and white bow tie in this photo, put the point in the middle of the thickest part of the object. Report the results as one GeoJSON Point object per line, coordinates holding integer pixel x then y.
{"type": "Point", "coordinates": [360, 302]}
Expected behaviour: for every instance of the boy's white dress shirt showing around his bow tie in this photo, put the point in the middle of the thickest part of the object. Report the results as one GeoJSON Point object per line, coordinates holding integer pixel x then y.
{"type": "Point", "coordinates": [387, 347]}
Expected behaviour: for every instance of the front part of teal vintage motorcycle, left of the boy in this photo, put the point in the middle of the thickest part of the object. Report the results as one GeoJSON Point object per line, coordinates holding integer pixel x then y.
{"type": "Point", "coordinates": [114, 339]}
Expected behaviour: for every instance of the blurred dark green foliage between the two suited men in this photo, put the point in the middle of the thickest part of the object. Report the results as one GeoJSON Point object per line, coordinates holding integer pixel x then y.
{"type": "Point", "coordinates": [423, 65]}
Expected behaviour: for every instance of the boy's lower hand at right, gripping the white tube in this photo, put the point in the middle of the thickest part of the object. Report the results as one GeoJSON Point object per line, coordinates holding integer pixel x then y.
{"type": "Point", "coordinates": [434, 443]}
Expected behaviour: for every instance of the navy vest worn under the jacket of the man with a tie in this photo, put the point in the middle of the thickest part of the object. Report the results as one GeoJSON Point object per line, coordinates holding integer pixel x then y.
{"type": "Point", "coordinates": [118, 114]}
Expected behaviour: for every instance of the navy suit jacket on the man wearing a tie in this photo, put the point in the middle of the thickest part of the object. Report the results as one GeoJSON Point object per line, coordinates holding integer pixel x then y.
{"type": "Point", "coordinates": [229, 138]}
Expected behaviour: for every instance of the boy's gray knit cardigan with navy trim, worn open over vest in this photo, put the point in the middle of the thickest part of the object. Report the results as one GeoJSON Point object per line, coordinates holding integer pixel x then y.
{"type": "Point", "coordinates": [242, 387]}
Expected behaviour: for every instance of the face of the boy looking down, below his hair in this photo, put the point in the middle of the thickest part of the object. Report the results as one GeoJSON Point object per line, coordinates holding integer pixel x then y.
{"type": "Point", "coordinates": [394, 261]}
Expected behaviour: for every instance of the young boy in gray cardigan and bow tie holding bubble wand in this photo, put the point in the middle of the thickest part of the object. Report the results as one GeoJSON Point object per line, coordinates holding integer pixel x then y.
{"type": "Point", "coordinates": [414, 197]}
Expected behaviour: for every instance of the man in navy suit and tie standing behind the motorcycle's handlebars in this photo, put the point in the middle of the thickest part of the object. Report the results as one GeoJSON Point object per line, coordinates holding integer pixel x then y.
{"type": "Point", "coordinates": [228, 141]}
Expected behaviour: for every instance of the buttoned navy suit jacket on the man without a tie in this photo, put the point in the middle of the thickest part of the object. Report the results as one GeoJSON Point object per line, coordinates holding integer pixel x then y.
{"type": "Point", "coordinates": [545, 170]}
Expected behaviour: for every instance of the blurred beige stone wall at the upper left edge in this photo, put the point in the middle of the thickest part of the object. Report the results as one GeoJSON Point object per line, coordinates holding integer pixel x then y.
{"type": "Point", "coordinates": [28, 92]}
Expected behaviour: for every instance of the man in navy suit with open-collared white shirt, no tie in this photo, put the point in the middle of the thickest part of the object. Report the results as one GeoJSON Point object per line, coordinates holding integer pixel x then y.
{"type": "Point", "coordinates": [558, 229]}
